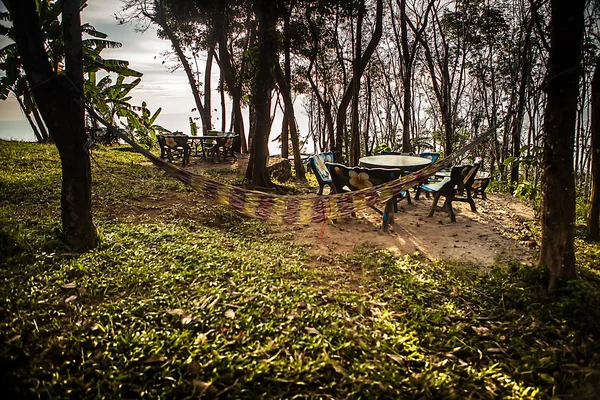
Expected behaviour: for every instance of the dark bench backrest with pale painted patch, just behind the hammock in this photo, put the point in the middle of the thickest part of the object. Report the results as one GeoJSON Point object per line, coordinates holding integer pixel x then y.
{"type": "Point", "coordinates": [346, 178]}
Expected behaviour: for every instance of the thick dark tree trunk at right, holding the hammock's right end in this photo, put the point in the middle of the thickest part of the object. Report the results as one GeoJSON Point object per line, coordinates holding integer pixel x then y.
{"type": "Point", "coordinates": [557, 251]}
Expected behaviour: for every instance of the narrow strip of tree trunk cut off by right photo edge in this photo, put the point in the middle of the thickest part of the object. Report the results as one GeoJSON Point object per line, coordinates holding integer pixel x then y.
{"type": "Point", "coordinates": [593, 229]}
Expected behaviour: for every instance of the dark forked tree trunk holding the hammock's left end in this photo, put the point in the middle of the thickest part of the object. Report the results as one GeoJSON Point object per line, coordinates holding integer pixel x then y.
{"type": "Point", "coordinates": [59, 98]}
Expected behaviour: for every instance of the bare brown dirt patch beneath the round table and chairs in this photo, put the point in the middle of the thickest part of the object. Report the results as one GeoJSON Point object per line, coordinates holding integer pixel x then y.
{"type": "Point", "coordinates": [494, 234]}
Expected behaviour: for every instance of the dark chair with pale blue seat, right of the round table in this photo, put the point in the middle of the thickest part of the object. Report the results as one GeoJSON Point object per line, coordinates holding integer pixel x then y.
{"type": "Point", "coordinates": [457, 187]}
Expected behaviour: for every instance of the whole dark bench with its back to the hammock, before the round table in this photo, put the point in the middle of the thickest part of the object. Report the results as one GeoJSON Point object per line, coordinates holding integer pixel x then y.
{"type": "Point", "coordinates": [347, 179]}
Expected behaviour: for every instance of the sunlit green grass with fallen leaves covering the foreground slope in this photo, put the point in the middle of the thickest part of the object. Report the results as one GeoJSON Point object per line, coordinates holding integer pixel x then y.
{"type": "Point", "coordinates": [183, 298]}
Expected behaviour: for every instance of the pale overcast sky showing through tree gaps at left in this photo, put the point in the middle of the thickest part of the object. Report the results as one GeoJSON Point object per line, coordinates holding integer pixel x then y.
{"type": "Point", "coordinates": [159, 86]}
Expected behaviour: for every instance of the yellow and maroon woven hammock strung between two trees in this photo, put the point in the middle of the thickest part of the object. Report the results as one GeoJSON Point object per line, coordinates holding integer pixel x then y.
{"type": "Point", "coordinates": [294, 209]}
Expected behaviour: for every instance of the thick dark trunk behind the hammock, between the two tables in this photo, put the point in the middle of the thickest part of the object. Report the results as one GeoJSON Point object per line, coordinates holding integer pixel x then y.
{"type": "Point", "coordinates": [267, 57]}
